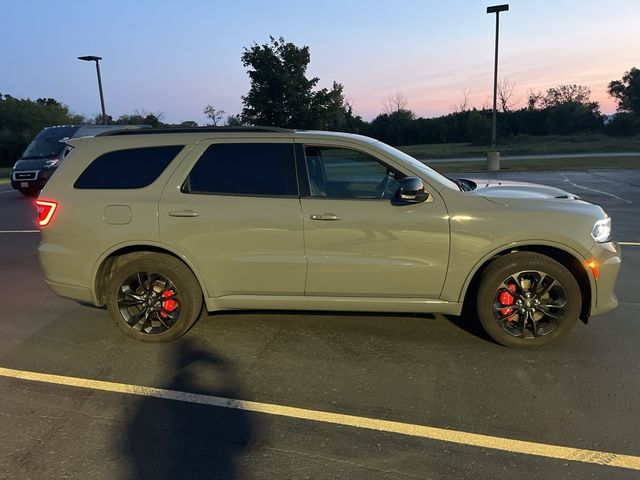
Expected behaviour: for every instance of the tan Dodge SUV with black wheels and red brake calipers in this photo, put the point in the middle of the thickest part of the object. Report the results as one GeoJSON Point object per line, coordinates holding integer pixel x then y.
{"type": "Point", "coordinates": [155, 223]}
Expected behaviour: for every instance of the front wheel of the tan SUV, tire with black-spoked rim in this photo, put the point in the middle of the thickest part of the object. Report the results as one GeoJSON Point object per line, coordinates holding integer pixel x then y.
{"type": "Point", "coordinates": [527, 300]}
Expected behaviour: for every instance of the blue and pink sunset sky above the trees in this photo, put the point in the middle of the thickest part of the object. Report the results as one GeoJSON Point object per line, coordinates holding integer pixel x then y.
{"type": "Point", "coordinates": [176, 57]}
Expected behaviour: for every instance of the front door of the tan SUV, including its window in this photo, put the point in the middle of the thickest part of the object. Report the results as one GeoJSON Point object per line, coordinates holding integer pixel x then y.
{"type": "Point", "coordinates": [358, 240]}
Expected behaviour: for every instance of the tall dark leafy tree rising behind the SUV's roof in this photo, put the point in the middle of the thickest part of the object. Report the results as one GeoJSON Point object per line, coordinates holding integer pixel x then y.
{"type": "Point", "coordinates": [281, 95]}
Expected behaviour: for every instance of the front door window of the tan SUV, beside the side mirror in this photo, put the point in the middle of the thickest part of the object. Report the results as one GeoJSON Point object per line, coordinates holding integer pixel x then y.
{"type": "Point", "coordinates": [344, 173]}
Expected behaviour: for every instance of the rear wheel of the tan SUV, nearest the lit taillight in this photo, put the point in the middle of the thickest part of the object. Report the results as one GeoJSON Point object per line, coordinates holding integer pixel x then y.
{"type": "Point", "coordinates": [153, 297]}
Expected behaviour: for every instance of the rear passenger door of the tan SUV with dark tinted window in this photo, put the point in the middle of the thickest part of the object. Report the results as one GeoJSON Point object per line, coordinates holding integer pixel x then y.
{"type": "Point", "coordinates": [232, 208]}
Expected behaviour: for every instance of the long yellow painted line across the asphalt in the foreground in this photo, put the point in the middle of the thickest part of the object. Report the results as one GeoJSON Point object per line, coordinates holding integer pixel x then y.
{"type": "Point", "coordinates": [441, 434]}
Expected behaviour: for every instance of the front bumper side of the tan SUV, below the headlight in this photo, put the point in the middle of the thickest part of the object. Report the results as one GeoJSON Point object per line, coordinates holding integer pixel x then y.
{"type": "Point", "coordinates": [607, 257]}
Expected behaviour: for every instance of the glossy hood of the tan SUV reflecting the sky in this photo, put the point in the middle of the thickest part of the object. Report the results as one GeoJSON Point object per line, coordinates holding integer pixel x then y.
{"type": "Point", "coordinates": [505, 189]}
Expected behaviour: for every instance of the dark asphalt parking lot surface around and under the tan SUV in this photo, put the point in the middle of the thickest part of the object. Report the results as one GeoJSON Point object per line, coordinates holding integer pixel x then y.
{"type": "Point", "coordinates": [373, 396]}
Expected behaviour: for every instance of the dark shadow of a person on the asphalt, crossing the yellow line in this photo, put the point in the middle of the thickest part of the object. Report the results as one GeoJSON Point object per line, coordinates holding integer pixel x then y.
{"type": "Point", "coordinates": [174, 439]}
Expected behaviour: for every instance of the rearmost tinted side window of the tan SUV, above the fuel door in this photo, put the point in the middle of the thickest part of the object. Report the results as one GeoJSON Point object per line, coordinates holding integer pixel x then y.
{"type": "Point", "coordinates": [125, 169]}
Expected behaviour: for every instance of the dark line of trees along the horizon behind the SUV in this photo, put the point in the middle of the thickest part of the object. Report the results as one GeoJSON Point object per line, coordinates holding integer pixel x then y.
{"type": "Point", "coordinates": [282, 95]}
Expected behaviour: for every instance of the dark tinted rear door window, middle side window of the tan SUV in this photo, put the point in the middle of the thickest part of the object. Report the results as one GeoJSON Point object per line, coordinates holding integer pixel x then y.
{"type": "Point", "coordinates": [245, 169]}
